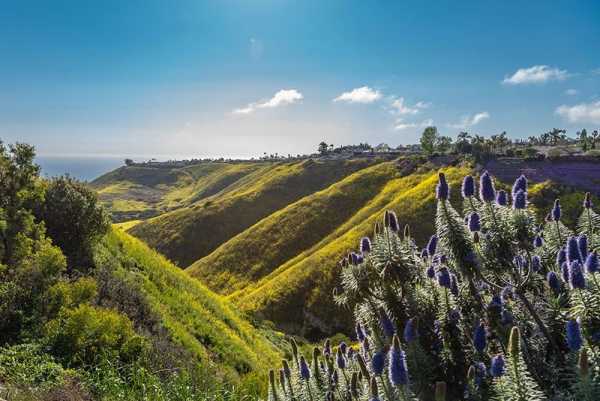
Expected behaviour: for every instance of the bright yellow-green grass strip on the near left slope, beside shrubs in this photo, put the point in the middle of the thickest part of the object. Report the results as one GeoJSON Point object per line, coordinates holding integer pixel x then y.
{"type": "Point", "coordinates": [197, 319]}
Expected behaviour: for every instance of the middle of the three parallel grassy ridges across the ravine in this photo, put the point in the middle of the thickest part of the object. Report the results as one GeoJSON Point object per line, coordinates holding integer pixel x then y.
{"type": "Point", "coordinates": [272, 241]}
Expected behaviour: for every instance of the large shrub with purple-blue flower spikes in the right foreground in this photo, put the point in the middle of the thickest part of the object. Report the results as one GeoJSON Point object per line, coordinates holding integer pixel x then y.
{"type": "Point", "coordinates": [496, 306]}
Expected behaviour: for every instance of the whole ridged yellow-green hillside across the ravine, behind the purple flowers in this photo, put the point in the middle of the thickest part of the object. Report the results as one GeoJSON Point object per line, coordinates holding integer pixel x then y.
{"type": "Point", "coordinates": [270, 241]}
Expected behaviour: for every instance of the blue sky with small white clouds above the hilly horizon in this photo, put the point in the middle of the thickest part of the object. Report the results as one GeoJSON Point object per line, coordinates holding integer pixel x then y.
{"type": "Point", "coordinates": [206, 78]}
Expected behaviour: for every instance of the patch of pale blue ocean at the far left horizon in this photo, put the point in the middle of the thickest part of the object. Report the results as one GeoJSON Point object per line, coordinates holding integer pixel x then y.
{"type": "Point", "coordinates": [82, 168]}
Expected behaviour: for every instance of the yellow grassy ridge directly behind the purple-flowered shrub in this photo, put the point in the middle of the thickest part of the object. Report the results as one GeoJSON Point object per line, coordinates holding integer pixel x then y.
{"type": "Point", "coordinates": [302, 286]}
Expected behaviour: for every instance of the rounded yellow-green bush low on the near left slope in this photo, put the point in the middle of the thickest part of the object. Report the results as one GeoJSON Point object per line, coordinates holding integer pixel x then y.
{"type": "Point", "coordinates": [80, 336]}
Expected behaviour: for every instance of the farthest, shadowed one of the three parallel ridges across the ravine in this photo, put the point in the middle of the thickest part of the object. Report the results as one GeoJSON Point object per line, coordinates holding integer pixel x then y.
{"type": "Point", "coordinates": [190, 233]}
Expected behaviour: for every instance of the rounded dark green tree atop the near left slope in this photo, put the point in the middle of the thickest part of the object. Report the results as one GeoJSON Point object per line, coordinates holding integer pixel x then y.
{"type": "Point", "coordinates": [74, 220]}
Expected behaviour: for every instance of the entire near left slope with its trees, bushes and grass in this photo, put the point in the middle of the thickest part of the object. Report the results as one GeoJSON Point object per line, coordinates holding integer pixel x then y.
{"type": "Point", "coordinates": [87, 312]}
